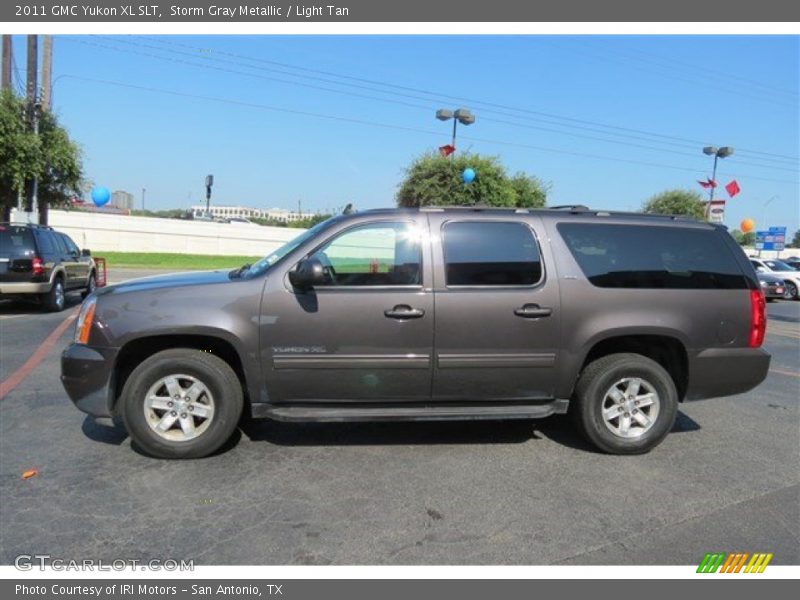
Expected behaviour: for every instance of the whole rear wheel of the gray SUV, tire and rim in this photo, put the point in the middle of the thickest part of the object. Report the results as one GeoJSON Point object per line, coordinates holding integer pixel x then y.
{"type": "Point", "coordinates": [625, 403]}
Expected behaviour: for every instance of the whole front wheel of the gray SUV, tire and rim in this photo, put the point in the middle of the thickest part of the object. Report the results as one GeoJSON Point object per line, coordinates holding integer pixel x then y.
{"type": "Point", "coordinates": [181, 403]}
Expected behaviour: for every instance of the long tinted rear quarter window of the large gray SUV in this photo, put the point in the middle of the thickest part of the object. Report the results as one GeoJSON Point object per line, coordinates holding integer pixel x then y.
{"type": "Point", "coordinates": [636, 256]}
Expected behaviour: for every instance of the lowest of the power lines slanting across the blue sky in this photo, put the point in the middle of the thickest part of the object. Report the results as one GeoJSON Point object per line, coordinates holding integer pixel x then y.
{"type": "Point", "coordinates": [395, 127]}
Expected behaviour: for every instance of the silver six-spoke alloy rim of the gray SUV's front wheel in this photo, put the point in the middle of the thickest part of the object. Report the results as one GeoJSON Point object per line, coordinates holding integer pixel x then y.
{"type": "Point", "coordinates": [179, 407]}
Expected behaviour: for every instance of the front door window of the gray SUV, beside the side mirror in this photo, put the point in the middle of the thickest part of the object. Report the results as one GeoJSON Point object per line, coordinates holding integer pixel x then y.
{"type": "Point", "coordinates": [373, 255]}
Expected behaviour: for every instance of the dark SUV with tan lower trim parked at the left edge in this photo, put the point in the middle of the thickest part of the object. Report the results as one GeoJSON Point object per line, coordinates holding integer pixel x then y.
{"type": "Point", "coordinates": [41, 263]}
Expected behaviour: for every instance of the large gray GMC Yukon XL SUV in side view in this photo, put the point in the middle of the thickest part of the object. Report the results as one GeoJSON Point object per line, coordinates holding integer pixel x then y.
{"type": "Point", "coordinates": [432, 314]}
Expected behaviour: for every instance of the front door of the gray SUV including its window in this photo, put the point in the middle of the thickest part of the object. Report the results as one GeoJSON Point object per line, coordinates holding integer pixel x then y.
{"type": "Point", "coordinates": [366, 334]}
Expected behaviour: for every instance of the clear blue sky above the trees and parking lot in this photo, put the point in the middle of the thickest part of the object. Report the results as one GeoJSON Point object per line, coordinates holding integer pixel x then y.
{"type": "Point", "coordinates": [606, 120]}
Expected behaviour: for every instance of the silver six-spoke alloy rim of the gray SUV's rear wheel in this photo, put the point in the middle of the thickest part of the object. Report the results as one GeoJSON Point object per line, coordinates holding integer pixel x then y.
{"type": "Point", "coordinates": [630, 407]}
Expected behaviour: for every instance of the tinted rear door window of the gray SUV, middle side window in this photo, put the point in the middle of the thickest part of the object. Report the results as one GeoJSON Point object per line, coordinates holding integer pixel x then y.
{"type": "Point", "coordinates": [490, 253]}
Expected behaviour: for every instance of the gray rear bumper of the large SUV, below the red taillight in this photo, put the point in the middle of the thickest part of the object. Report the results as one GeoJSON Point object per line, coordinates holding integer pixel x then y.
{"type": "Point", "coordinates": [726, 371]}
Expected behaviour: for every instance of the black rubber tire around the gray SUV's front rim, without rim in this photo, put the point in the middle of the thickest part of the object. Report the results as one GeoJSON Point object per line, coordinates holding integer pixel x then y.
{"type": "Point", "coordinates": [213, 372]}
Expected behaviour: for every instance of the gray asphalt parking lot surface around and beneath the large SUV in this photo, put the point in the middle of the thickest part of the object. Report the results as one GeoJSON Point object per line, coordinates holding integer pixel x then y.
{"type": "Point", "coordinates": [530, 492]}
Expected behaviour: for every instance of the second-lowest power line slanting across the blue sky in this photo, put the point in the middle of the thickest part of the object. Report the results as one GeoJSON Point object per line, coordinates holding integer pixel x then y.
{"type": "Point", "coordinates": [205, 65]}
